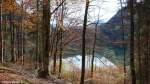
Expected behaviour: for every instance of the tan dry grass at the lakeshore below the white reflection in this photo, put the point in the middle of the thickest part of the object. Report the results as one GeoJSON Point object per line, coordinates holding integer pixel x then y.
{"type": "Point", "coordinates": [107, 75]}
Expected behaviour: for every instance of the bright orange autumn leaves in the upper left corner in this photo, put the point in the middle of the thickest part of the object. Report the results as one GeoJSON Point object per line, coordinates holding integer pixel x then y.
{"type": "Point", "coordinates": [19, 11]}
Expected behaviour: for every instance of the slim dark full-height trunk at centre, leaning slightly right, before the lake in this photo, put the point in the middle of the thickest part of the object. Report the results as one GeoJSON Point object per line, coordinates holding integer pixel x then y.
{"type": "Point", "coordinates": [83, 43]}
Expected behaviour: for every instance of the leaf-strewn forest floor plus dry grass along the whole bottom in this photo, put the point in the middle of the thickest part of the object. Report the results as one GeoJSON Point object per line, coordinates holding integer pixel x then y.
{"type": "Point", "coordinates": [24, 74]}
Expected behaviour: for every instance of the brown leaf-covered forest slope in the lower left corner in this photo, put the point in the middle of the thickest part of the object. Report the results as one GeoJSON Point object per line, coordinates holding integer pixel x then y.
{"type": "Point", "coordinates": [14, 74]}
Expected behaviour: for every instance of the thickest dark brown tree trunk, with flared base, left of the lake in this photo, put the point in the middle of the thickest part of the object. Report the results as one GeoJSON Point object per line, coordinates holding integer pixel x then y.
{"type": "Point", "coordinates": [46, 30]}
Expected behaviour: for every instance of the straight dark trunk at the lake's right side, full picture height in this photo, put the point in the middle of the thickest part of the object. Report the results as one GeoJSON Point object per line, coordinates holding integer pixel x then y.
{"type": "Point", "coordinates": [132, 58]}
